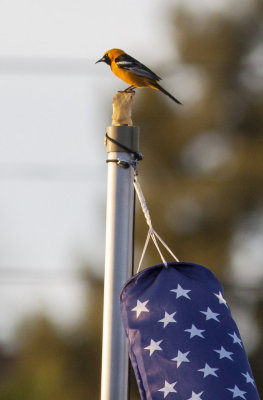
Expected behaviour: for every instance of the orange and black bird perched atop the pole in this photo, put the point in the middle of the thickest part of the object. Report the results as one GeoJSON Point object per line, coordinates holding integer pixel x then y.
{"type": "Point", "coordinates": [133, 72]}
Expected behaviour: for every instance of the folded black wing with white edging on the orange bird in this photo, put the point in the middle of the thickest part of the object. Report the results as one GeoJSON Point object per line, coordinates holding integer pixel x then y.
{"type": "Point", "coordinates": [124, 61]}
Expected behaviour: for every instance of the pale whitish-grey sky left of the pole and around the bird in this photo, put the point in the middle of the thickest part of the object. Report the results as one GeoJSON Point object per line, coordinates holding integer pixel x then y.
{"type": "Point", "coordinates": [55, 106]}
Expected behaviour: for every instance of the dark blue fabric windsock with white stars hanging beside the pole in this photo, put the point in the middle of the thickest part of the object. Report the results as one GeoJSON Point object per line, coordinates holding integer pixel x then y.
{"type": "Point", "coordinates": [183, 342]}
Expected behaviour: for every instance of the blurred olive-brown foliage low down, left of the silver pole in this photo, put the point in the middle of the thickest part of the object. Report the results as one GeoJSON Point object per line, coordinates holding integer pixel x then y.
{"type": "Point", "coordinates": [50, 364]}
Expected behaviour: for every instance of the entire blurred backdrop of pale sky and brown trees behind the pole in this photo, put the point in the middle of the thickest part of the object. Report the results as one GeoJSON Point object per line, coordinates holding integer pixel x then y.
{"type": "Point", "coordinates": [202, 173]}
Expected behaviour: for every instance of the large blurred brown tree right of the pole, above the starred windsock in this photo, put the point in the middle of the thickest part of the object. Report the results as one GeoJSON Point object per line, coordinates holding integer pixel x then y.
{"type": "Point", "coordinates": [202, 168]}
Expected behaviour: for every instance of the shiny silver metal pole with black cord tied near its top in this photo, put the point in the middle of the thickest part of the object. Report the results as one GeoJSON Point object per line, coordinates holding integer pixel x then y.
{"type": "Point", "coordinates": [118, 260]}
